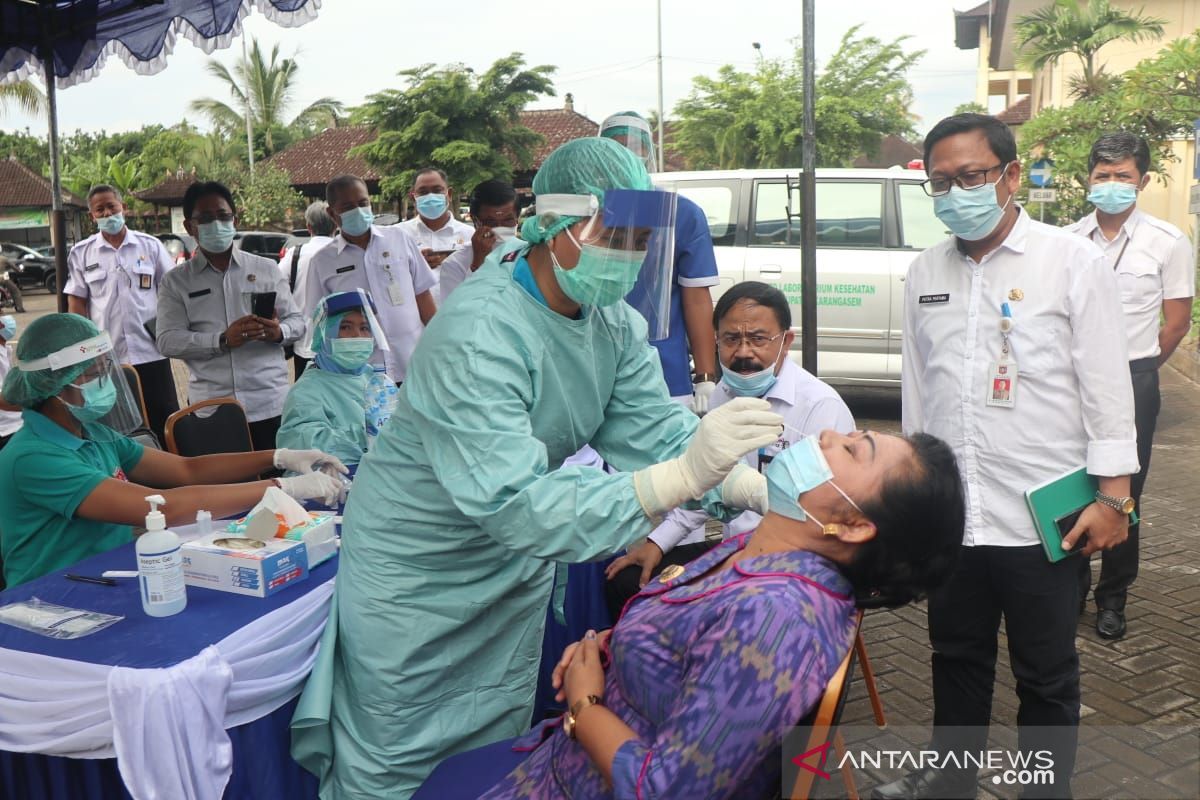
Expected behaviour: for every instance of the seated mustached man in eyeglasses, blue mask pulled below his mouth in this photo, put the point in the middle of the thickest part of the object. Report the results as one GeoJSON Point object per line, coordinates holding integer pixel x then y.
{"type": "Point", "coordinates": [754, 336]}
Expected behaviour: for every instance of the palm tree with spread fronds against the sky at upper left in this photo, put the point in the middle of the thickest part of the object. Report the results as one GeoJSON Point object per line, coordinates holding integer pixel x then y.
{"type": "Point", "coordinates": [272, 87]}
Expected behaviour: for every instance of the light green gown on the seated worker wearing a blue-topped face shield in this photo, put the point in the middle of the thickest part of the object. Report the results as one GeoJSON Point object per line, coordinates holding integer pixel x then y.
{"type": "Point", "coordinates": [327, 412]}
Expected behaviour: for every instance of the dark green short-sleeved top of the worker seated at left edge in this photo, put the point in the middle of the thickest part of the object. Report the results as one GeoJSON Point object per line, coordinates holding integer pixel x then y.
{"type": "Point", "coordinates": [45, 474]}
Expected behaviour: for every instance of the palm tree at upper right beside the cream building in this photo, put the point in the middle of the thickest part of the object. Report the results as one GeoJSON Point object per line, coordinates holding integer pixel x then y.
{"type": "Point", "coordinates": [1075, 27]}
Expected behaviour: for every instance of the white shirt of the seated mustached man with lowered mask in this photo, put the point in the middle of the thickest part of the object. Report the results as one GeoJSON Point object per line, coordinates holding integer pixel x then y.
{"type": "Point", "coordinates": [807, 405]}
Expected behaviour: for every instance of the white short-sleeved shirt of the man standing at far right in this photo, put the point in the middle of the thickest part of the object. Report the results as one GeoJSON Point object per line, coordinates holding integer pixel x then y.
{"type": "Point", "coordinates": [1156, 266]}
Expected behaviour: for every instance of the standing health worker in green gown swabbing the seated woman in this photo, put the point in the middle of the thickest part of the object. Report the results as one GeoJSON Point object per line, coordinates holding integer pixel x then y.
{"type": "Point", "coordinates": [461, 510]}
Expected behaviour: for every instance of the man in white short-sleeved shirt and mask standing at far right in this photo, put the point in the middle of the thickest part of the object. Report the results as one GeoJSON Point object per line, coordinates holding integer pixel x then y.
{"type": "Point", "coordinates": [1153, 262]}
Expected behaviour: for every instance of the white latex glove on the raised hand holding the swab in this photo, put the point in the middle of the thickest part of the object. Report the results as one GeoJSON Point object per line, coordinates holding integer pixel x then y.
{"type": "Point", "coordinates": [725, 435]}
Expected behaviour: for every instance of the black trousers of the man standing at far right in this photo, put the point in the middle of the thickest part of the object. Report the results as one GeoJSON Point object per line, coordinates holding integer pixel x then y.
{"type": "Point", "coordinates": [1119, 567]}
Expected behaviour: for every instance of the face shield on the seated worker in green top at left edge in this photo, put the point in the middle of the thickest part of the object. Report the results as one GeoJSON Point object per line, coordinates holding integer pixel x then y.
{"type": "Point", "coordinates": [98, 395]}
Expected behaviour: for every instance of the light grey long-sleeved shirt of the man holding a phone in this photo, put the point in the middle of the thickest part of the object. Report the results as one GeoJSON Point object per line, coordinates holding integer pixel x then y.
{"type": "Point", "coordinates": [199, 303]}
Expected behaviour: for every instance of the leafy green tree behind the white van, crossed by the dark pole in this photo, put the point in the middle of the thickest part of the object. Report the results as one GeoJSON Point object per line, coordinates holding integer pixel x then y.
{"type": "Point", "coordinates": [755, 119]}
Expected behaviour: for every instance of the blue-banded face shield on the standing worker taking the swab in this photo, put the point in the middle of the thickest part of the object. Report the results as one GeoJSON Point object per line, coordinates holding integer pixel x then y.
{"type": "Point", "coordinates": [627, 251]}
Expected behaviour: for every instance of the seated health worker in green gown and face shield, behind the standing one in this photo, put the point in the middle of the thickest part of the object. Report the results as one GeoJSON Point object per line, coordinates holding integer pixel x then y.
{"type": "Point", "coordinates": [341, 404]}
